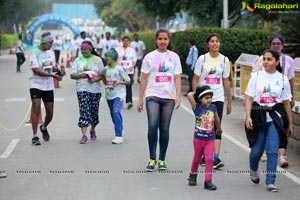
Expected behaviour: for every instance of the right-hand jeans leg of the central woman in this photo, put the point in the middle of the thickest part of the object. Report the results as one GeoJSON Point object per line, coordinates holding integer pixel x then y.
{"type": "Point", "coordinates": [166, 111]}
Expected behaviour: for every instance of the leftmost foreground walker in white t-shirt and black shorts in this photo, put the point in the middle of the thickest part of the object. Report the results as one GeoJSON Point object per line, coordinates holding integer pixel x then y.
{"type": "Point", "coordinates": [41, 85]}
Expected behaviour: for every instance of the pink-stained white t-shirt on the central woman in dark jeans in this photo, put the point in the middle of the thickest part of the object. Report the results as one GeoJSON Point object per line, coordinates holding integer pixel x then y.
{"type": "Point", "coordinates": [161, 69]}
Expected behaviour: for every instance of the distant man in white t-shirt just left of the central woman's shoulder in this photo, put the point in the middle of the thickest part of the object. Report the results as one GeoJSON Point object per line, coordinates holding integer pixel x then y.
{"type": "Point", "coordinates": [139, 47]}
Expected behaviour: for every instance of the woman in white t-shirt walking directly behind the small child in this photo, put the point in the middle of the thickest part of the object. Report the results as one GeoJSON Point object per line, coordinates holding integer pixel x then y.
{"type": "Point", "coordinates": [213, 69]}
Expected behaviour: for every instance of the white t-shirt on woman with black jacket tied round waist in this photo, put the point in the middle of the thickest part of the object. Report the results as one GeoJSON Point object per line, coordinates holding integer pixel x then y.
{"type": "Point", "coordinates": [268, 89]}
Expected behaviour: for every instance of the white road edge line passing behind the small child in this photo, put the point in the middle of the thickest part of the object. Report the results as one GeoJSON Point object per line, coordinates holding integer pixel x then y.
{"type": "Point", "coordinates": [247, 149]}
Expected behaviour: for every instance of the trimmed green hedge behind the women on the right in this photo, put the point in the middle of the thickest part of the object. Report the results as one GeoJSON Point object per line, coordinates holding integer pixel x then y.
{"type": "Point", "coordinates": [233, 41]}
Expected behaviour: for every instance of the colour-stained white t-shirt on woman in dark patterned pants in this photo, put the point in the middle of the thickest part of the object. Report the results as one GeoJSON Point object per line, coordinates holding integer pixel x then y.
{"type": "Point", "coordinates": [87, 65]}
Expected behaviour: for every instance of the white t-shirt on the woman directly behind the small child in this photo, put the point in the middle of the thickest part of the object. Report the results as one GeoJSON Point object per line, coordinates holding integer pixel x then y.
{"type": "Point", "coordinates": [211, 72]}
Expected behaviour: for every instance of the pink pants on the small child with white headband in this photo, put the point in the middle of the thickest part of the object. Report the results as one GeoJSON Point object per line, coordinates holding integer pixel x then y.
{"type": "Point", "coordinates": [205, 147]}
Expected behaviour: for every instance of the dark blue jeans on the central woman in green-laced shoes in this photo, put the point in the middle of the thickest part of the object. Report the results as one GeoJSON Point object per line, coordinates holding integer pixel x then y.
{"type": "Point", "coordinates": [159, 113]}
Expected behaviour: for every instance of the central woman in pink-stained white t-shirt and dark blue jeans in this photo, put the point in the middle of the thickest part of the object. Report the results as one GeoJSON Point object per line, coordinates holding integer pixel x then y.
{"type": "Point", "coordinates": [161, 81]}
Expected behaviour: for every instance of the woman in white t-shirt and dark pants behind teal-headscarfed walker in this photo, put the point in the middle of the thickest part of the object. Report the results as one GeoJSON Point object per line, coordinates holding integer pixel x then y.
{"type": "Point", "coordinates": [127, 60]}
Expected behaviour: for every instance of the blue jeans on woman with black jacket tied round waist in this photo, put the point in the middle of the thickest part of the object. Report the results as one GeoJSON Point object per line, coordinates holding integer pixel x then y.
{"type": "Point", "coordinates": [268, 139]}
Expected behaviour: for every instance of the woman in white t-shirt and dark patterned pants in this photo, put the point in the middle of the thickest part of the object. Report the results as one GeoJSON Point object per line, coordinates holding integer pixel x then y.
{"type": "Point", "coordinates": [86, 71]}
